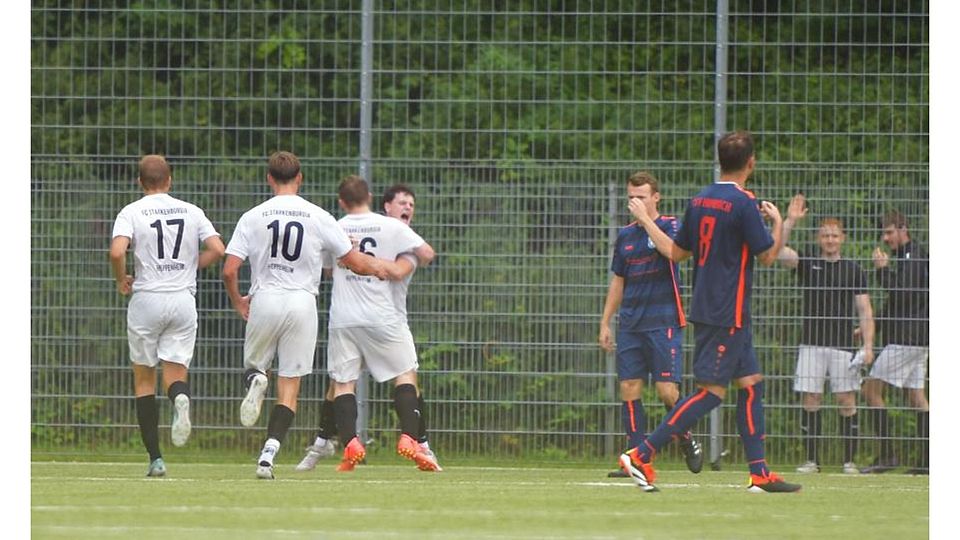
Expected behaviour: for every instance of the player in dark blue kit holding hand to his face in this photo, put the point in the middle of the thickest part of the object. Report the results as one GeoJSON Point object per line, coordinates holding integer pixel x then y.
{"type": "Point", "coordinates": [645, 285]}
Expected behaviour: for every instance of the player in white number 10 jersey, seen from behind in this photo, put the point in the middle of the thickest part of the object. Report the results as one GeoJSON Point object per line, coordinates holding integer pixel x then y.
{"type": "Point", "coordinates": [285, 239]}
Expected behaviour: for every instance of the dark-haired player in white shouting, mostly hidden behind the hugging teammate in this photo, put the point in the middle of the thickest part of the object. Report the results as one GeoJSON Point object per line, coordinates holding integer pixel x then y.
{"type": "Point", "coordinates": [399, 202]}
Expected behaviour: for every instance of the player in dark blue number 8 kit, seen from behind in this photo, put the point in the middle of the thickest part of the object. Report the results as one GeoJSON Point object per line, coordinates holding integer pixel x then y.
{"type": "Point", "coordinates": [723, 231]}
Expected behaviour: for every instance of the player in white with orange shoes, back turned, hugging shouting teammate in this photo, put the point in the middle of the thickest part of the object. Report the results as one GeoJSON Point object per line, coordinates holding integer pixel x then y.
{"type": "Point", "coordinates": [367, 329]}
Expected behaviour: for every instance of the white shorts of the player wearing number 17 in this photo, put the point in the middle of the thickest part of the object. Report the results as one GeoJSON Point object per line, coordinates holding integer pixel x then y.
{"type": "Point", "coordinates": [161, 326]}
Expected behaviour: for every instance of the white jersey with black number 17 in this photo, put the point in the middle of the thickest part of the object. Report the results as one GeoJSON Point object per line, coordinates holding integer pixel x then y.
{"type": "Point", "coordinates": [165, 235]}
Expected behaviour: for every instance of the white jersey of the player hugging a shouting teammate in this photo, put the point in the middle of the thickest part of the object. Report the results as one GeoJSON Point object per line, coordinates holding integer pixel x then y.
{"type": "Point", "coordinates": [365, 300]}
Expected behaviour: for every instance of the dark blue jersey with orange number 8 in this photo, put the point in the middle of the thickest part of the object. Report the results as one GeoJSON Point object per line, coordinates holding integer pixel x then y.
{"type": "Point", "coordinates": [724, 230]}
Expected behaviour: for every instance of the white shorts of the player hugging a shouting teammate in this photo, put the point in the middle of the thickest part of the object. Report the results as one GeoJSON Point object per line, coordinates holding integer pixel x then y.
{"type": "Point", "coordinates": [387, 351]}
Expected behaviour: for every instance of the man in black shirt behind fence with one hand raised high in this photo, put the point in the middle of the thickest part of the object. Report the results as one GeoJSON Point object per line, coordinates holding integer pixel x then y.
{"type": "Point", "coordinates": [834, 290]}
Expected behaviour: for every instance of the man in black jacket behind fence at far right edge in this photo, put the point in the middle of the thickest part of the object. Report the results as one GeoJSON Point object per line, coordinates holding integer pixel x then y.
{"type": "Point", "coordinates": [905, 329]}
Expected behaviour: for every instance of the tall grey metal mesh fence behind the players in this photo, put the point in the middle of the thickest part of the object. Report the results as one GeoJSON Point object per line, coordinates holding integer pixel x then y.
{"type": "Point", "coordinates": [516, 123]}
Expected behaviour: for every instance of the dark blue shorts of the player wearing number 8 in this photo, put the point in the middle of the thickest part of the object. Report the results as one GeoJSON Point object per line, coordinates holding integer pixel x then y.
{"type": "Point", "coordinates": [723, 354]}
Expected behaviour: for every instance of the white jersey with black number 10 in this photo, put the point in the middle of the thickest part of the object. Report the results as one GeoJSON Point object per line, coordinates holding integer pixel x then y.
{"type": "Point", "coordinates": [286, 238]}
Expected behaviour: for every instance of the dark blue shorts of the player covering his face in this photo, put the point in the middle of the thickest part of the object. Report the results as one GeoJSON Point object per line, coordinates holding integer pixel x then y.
{"type": "Point", "coordinates": [655, 354]}
